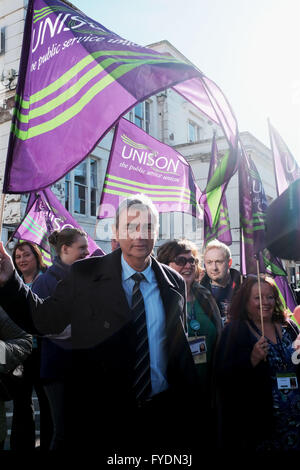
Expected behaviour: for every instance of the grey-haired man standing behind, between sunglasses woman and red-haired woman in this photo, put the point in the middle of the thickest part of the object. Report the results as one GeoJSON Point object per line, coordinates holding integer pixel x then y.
{"type": "Point", "coordinates": [220, 278]}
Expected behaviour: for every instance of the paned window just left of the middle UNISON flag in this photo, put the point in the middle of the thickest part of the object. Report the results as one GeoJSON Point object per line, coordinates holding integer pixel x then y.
{"type": "Point", "coordinates": [82, 188]}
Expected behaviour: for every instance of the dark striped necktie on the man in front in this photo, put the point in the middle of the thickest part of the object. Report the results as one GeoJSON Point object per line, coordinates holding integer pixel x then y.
{"type": "Point", "coordinates": [142, 376]}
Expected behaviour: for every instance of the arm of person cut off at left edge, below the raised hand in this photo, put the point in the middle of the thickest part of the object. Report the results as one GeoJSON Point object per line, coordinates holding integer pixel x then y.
{"type": "Point", "coordinates": [15, 344]}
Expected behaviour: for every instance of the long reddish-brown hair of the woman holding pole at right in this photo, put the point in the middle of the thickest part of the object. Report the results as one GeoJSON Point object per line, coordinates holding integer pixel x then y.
{"type": "Point", "coordinates": [238, 308]}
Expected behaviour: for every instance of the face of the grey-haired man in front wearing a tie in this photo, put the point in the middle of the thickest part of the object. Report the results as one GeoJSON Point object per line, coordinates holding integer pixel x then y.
{"type": "Point", "coordinates": [136, 235]}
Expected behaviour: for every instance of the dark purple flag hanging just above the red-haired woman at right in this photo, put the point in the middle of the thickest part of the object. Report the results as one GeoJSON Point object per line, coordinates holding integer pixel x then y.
{"type": "Point", "coordinates": [253, 205]}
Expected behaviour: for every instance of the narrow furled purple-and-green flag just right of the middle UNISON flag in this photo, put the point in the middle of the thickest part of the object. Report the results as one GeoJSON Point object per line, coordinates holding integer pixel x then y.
{"type": "Point", "coordinates": [216, 218]}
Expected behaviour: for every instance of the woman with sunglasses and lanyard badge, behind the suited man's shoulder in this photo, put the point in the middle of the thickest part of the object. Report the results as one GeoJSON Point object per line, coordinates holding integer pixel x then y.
{"type": "Point", "coordinates": [203, 322]}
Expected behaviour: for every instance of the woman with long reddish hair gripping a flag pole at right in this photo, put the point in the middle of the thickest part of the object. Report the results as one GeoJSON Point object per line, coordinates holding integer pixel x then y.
{"type": "Point", "coordinates": [257, 375]}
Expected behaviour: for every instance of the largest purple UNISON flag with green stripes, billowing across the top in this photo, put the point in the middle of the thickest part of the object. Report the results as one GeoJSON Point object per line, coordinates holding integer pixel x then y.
{"type": "Point", "coordinates": [76, 79]}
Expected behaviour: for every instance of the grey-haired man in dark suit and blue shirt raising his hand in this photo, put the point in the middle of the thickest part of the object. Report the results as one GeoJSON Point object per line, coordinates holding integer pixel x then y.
{"type": "Point", "coordinates": [131, 361]}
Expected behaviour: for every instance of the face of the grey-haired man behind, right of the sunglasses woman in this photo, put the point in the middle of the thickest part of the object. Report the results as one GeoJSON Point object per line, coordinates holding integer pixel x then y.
{"type": "Point", "coordinates": [217, 265]}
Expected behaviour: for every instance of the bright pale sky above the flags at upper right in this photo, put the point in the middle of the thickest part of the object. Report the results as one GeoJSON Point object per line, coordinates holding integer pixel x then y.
{"type": "Point", "coordinates": [250, 48]}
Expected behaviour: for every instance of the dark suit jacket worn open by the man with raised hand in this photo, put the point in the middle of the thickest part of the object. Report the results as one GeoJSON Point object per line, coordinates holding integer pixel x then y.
{"type": "Point", "coordinates": [92, 299]}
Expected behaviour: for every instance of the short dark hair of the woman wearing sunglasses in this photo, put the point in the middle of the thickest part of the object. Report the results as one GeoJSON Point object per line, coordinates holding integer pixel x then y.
{"type": "Point", "coordinates": [167, 252]}
